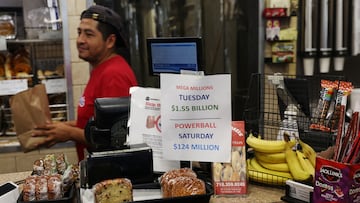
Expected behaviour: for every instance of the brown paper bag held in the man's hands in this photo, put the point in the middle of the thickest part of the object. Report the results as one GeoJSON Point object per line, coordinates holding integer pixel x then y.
{"type": "Point", "coordinates": [29, 109]}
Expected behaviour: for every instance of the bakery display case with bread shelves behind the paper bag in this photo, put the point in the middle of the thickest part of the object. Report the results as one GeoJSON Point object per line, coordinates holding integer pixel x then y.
{"type": "Point", "coordinates": [27, 60]}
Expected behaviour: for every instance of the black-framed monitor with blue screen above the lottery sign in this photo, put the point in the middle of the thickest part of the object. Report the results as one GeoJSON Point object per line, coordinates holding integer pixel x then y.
{"type": "Point", "coordinates": [171, 55]}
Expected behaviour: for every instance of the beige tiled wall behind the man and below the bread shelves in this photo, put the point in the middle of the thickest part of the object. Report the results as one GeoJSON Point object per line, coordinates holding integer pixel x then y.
{"type": "Point", "coordinates": [19, 161]}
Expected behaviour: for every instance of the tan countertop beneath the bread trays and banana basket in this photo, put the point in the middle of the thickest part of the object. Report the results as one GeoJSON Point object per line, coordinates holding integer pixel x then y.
{"type": "Point", "coordinates": [256, 193]}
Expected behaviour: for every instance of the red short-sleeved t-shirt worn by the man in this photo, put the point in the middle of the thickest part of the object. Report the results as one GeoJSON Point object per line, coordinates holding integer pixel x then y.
{"type": "Point", "coordinates": [112, 78]}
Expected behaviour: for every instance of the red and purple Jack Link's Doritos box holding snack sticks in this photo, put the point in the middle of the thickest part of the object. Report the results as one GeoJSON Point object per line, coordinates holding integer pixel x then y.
{"type": "Point", "coordinates": [336, 182]}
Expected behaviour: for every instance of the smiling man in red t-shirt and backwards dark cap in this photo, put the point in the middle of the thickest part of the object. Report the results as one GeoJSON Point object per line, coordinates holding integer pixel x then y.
{"type": "Point", "coordinates": [100, 34]}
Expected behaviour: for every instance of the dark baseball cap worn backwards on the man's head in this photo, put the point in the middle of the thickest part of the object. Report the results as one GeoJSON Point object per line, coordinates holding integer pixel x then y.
{"type": "Point", "coordinates": [107, 16]}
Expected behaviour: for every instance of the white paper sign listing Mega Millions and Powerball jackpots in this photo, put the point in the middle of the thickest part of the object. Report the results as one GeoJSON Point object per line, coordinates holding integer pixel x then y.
{"type": "Point", "coordinates": [196, 117]}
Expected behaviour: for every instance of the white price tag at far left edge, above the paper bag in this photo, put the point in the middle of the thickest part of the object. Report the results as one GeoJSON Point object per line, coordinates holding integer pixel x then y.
{"type": "Point", "coordinates": [11, 87]}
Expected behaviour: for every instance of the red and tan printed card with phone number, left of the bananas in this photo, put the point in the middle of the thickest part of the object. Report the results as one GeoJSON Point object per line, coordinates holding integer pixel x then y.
{"type": "Point", "coordinates": [231, 178]}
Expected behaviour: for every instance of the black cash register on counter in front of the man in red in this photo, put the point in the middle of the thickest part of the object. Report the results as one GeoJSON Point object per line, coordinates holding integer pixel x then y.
{"type": "Point", "coordinates": [109, 156]}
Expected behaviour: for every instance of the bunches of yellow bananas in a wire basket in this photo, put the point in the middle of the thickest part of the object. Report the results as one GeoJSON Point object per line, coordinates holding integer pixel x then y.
{"type": "Point", "coordinates": [276, 161]}
